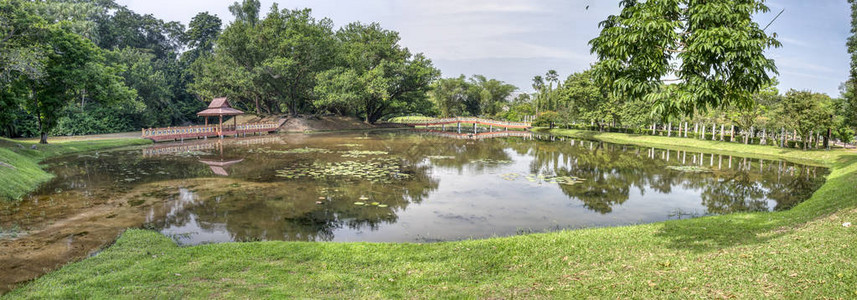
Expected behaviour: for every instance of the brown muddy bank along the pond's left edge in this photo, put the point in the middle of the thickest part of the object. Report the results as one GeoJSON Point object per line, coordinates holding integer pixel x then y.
{"type": "Point", "coordinates": [52, 232]}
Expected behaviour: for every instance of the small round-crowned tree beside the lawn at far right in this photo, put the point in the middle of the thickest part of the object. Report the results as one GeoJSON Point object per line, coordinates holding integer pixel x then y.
{"type": "Point", "coordinates": [806, 112]}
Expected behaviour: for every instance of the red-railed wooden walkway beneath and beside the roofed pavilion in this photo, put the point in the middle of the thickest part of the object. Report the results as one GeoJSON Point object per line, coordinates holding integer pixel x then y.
{"type": "Point", "coordinates": [205, 131]}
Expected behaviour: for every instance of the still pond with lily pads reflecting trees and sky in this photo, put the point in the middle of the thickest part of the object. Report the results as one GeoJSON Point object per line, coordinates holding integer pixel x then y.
{"type": "Point", "coordinates": [383, 186]}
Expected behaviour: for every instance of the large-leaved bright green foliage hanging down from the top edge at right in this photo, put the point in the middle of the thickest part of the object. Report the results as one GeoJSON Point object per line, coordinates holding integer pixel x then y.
{"type": "Point", "coordinates": [713, 48]}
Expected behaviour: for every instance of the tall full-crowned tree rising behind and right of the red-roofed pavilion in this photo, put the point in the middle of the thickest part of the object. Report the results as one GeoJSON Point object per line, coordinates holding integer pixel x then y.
{"type": "Point", "coordinates": [269, 65]}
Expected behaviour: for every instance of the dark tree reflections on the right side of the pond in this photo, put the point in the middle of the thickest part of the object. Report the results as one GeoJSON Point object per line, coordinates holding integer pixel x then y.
{"type": "Point", "coordinates": [611, 171]}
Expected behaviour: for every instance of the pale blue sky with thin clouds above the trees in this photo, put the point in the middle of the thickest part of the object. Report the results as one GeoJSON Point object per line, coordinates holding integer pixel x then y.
{"type": "Point", "coordinates": [514, 40]}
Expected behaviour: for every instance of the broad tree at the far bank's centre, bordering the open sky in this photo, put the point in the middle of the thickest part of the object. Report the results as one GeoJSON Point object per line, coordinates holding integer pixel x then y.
{"type": "Point", "coordinates": [377, 76]}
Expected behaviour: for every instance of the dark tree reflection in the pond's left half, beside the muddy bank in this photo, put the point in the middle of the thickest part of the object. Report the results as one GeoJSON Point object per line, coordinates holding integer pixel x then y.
{"type": "Point", "coordinates": [294, 210]}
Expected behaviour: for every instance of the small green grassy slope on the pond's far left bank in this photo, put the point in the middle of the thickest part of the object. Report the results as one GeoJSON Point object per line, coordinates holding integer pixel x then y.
{"type": "Point", "coordinates": [27, 174]}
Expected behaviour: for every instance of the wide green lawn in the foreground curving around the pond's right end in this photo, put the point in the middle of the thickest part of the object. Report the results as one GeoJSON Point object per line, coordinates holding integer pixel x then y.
{"type": "Point", "coordinates": [804, 252]}
